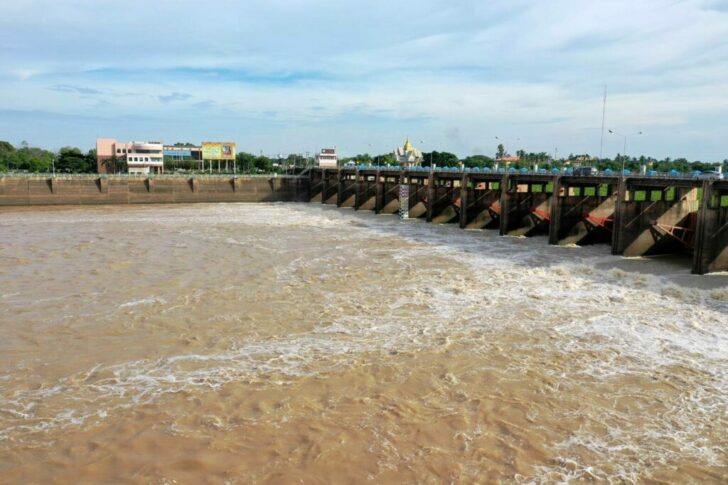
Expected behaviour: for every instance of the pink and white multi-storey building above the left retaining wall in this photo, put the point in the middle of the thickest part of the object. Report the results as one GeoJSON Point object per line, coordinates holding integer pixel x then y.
{"type": "Point", "coordinates": [139, 156]}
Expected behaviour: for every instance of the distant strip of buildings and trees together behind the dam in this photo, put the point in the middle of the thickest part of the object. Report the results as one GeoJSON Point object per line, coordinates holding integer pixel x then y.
{"type": "Point", "coordinates": [155, 157]}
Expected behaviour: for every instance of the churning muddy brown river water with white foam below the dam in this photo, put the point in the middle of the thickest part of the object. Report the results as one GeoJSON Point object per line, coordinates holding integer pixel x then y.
{"type": "Point", "coordinates": [237, 343]}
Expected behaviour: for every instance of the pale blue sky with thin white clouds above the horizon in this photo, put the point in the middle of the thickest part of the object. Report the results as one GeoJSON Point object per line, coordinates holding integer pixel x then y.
{"type": "Point", "coordinates": [285, 76]}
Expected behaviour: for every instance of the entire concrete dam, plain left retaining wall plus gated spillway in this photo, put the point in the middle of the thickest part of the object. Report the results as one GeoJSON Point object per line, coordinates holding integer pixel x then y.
{"type": "Point", "coordinates": [637, 216]}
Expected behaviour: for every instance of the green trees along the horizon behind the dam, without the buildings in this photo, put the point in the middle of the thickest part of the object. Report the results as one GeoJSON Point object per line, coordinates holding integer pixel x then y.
{"type": "Point", "coordinates": [72, 160]}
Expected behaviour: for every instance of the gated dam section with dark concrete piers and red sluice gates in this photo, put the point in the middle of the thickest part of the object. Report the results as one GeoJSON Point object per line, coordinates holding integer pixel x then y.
{"type": "Point", "coordinates": [636, 215]}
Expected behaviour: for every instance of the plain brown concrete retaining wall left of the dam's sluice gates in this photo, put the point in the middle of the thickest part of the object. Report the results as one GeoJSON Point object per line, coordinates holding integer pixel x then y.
{"type": "Point", "coordinates": [19, 190]}
